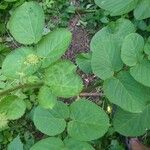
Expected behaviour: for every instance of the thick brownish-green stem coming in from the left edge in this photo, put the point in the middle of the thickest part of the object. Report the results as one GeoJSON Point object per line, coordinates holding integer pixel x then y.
{"type": "Point", "coordinates": [23, 86]}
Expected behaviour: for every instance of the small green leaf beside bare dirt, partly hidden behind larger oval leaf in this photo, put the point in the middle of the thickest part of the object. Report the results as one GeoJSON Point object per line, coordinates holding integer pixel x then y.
{"type": "Point", "coordinates": [83, 60]}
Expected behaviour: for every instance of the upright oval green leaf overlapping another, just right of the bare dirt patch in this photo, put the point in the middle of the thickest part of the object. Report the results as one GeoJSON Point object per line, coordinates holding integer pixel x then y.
{"type": "Point", "coordinates": [106, 57]}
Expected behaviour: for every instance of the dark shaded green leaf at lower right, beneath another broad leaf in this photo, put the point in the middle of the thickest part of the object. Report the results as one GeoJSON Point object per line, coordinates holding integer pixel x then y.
{"type": "Point", "coordinates": [132, 124]}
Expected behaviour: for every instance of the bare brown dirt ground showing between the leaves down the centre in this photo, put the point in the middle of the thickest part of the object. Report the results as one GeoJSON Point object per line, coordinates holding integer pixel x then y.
{"type": "Point", "coordinates": [80, 43]}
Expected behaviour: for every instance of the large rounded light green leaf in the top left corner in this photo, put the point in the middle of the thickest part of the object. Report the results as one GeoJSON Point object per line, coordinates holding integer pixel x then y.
{"type": "Point", "coordinates": [27, 23]}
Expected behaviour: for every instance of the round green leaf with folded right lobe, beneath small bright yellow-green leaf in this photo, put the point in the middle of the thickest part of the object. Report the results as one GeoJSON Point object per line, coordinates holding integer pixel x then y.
{"type": "Point", "coordinates": [51, 122]}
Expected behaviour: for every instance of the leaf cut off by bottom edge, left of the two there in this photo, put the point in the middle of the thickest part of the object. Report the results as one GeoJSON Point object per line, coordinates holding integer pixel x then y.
{"type": "Point", "coordinates": [50, 143]}
